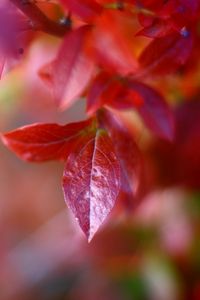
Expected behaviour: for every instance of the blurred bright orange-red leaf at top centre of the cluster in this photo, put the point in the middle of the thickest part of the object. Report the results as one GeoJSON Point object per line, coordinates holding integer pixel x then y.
{"type": "Point", "coordinates": [111, 43]}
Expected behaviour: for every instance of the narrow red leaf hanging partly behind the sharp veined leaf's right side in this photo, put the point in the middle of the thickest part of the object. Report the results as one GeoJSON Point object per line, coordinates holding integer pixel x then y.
{"type": "Point", "coordinates": [128, 154]}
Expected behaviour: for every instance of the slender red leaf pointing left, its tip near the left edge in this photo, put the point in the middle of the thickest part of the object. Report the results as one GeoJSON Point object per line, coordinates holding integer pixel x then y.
{"type": "Point", "coordinates": [42, 142]}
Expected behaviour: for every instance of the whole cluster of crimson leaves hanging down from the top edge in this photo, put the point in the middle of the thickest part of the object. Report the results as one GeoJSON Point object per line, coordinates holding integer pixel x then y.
{"type": "Point", "coordinates": [106, 56]}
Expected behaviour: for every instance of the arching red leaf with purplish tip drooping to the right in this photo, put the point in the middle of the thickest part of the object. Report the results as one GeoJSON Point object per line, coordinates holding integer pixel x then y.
{"type": "Point", "coordinates": [151, 106]}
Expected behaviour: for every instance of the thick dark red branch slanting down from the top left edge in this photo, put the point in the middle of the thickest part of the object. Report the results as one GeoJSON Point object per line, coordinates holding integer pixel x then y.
{"type": "Point", "coordinates": [39, 21]}
